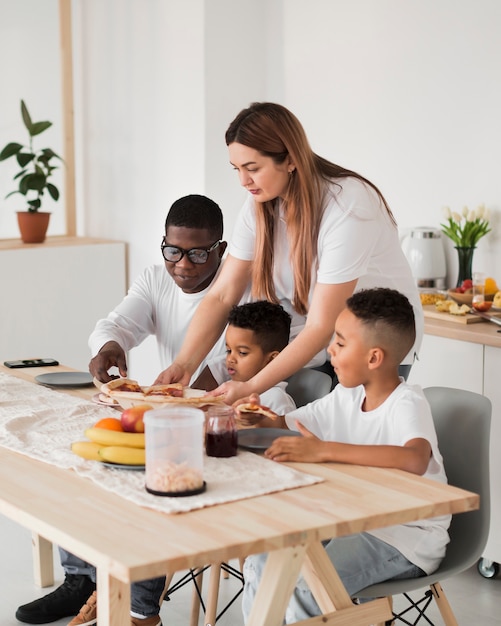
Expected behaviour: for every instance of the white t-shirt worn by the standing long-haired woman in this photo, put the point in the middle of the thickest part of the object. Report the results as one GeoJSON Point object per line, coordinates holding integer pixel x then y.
{"type": "Point", "coordinates": [357, 240]}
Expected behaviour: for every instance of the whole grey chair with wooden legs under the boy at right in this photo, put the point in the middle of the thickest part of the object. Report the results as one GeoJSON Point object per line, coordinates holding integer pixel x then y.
{"type": "Point", "coordinates": [462, 421]}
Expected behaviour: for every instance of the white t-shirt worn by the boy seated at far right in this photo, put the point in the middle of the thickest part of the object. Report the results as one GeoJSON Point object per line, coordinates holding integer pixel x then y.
{"type": "Point", "coordinates": [404, 415]}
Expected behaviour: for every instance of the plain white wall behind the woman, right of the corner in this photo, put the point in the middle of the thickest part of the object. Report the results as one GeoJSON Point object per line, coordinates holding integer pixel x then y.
{"type": "Point", "coordinates": [407, 93]}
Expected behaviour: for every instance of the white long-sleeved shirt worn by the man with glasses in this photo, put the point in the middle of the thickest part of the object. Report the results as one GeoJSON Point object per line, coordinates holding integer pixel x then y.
{"type": "Point", "coordinates": [154, 305]}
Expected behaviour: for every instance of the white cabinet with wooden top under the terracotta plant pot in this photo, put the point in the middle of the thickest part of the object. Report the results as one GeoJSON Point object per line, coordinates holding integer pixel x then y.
{"type": "Point", "coordinates": [53, 294]}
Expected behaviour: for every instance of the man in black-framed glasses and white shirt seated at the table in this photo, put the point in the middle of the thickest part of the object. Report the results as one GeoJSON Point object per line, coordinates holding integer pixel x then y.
{"type": "Point", "coordinates": [160, 302]}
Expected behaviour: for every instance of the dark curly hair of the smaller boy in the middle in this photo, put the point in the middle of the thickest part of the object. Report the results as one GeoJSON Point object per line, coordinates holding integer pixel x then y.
{"type": "Point", "coordinates": [270, 323]}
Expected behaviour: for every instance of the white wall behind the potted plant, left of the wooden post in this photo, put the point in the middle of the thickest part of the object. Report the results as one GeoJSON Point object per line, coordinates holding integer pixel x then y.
{"type": "Point", "coordinates": [30, 71]}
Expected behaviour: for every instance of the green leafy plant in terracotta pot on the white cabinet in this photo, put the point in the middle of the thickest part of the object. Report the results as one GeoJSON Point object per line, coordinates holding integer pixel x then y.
{"type": "Point", "coordinates": [37, 167]}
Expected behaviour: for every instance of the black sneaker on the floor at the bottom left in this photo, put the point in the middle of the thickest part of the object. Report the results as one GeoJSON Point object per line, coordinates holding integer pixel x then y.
{"type": "Point", "coordinates": [64, 601]}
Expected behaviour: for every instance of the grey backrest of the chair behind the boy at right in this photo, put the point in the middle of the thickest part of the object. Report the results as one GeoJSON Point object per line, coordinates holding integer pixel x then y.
{"type": "Point", "coordinates": [462, 421]}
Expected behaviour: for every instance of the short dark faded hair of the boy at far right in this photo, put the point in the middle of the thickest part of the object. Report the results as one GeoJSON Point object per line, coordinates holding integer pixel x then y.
{"type": "Point", "coordinates": [390, 317]}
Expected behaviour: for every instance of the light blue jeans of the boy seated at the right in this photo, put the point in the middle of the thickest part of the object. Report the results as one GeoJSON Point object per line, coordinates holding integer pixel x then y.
{"type": "Point", "coordinates": [360, 560]}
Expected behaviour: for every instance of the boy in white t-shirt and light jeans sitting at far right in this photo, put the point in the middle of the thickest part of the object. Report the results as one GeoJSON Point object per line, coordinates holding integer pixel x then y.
{"type": "Point", "coordinates": [373, 418]}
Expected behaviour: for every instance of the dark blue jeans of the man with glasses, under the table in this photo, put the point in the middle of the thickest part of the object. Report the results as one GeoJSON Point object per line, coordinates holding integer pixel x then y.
{"type": "Point", "coordinates": [145, 594]}
